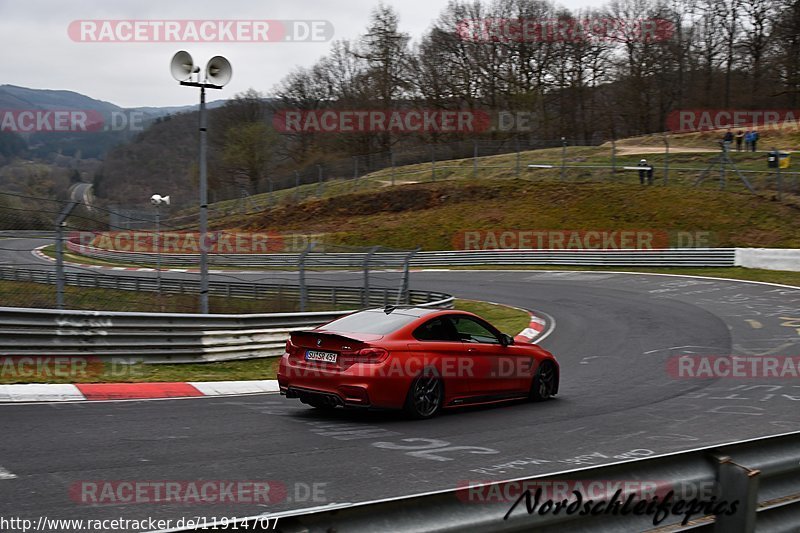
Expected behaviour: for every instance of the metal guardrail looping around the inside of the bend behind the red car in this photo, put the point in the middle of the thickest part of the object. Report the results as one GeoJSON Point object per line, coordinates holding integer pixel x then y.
{"type": "Point", "coordinates": [173, 337]}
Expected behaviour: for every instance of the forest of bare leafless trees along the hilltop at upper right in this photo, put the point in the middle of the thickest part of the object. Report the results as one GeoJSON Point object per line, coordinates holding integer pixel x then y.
{"type": "Point", "coordinates": [741, 54]}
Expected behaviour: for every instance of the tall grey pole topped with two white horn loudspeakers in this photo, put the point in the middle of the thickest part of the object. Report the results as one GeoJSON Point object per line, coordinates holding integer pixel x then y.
{"type": "Point", "coordinates": [218, 73]}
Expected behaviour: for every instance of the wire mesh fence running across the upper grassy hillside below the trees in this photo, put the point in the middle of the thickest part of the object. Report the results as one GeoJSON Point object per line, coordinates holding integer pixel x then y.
{"type": "Point", "coordinates": [655, 160]}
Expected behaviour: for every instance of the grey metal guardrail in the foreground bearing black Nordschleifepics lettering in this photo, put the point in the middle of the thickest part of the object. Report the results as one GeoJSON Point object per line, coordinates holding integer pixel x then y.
{"type": "Point", "coordinates": [762, 475]}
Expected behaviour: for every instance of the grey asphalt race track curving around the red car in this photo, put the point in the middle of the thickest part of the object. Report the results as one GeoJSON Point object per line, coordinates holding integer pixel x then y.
{"type": "Point", "coordinates": [613, 336]}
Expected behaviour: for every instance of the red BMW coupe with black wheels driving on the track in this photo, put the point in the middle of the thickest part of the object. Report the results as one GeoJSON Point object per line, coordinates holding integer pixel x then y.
{"type": "Point", "coordinates": [416, 359]}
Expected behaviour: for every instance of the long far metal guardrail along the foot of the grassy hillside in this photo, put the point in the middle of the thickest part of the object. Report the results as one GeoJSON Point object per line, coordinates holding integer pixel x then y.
{"type": "Point", "coordinates": [723, 257]}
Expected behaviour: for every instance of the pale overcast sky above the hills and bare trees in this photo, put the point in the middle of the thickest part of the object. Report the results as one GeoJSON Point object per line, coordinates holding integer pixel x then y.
{"type": "Point", "coordinates": [38, 52]}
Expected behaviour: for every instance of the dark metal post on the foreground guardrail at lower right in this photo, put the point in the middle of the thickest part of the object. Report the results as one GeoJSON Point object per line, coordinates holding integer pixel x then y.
{"type": "Point", "coordinates": [737, 483]}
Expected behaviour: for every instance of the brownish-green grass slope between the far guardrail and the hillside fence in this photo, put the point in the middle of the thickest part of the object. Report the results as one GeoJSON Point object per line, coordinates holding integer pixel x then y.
{"type": "Point", "coordinates": [432, 215]}
